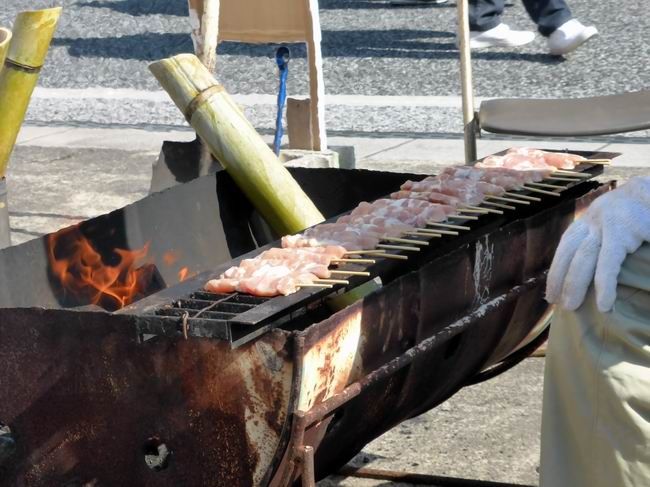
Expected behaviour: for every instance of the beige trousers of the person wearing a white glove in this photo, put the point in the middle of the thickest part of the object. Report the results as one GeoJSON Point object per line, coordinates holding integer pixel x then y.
{"type": "Point", "coordinates": [596, 412]}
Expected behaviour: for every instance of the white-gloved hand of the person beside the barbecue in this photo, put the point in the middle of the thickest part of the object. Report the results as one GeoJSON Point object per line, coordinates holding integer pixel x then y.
{"type": "Point", "coordinates": [614, 225]}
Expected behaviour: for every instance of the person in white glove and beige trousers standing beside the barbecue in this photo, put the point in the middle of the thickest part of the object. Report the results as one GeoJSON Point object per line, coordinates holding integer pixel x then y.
{"type": "Point", "coordinates": [596, 405]}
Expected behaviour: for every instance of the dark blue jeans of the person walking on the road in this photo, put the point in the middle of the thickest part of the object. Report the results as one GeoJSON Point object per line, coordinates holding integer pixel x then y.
{"type": "Point", "coordinates": [547, 14]}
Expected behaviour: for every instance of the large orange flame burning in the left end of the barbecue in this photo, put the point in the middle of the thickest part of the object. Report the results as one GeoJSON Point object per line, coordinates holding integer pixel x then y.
{"type": "Point", "coordinates": [82, 272]}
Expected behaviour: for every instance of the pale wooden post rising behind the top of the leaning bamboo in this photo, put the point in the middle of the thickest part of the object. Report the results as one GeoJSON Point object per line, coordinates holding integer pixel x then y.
{"type": "Point", "coordinates": [204, 20]}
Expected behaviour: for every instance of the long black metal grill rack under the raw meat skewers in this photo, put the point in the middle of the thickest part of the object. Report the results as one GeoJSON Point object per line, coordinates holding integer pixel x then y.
{"type": "Point", "coordinates": [239, 318]}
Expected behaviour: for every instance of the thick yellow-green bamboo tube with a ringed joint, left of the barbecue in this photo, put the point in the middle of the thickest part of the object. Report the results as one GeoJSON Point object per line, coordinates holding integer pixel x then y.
{"type": "Point", "coordinates": [32, 33]}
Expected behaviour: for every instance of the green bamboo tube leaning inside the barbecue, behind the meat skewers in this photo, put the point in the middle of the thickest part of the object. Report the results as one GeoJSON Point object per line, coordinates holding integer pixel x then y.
{"type": "Point", "coordinates": [234, 142]}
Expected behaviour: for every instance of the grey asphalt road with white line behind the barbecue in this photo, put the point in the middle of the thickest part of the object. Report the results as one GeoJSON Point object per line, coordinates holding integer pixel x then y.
{"type": "Point", "coordinates": [370, 49]}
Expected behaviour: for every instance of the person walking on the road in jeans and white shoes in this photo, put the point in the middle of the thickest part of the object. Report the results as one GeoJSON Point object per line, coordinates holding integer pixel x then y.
{"type": "Point", "coordinates": [553, 18]}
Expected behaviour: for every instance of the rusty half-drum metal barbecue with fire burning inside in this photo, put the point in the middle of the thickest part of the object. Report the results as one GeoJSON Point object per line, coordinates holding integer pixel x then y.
{"type": "Point", "coordinates": [230, 389]}
